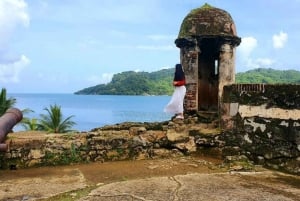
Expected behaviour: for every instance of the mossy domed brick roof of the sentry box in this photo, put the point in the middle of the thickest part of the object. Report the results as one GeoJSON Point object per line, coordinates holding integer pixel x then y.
{"type": "Point", "coordinates": [207, 21]}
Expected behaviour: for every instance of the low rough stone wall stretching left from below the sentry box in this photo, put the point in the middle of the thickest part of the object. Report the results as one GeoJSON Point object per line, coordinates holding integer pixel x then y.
{"type": "Point", "coordinates": [126, 141]}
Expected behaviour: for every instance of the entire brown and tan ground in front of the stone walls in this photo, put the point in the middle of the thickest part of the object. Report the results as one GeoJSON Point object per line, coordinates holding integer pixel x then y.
{"type": "Point", "coordinates": [182, 178]}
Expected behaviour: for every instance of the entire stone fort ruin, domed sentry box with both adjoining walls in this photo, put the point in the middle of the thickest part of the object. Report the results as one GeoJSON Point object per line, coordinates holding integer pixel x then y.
{"type": "Point", "coordinates": [257, 122]}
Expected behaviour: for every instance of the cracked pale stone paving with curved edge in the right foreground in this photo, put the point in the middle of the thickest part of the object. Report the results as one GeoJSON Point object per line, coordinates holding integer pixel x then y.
{"type": "Point", "coordinates": [197, 187]}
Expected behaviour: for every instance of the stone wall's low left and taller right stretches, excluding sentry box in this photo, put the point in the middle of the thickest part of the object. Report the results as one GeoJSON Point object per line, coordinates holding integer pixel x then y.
{"type": "Point", "coordinates": [259, 123]}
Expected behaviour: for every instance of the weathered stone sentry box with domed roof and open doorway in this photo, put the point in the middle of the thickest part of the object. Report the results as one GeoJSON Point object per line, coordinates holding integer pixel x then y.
{"type": "Point", "coordinates": [207, 41]}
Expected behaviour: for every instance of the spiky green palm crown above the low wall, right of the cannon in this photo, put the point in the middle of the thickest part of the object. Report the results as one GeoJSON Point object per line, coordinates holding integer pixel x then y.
{"type": "Point", "coordinates": [54, 122]}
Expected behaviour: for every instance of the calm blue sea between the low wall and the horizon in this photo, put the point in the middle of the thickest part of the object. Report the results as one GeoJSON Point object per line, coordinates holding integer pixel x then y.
{"type": "Point", "coordinates": [93, 111]}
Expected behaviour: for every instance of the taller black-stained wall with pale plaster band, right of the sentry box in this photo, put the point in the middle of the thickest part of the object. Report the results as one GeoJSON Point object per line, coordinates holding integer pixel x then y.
{"type": "Point", "coordinates": [263, 122]}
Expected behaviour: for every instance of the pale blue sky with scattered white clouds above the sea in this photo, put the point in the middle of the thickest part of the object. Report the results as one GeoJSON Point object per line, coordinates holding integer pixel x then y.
{"type": "Point", "coordinates": [61, 46]}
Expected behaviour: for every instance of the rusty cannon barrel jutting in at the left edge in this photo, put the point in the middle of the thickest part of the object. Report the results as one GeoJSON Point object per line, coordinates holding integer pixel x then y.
{"type": "Point", "coordinates": [8, 120]}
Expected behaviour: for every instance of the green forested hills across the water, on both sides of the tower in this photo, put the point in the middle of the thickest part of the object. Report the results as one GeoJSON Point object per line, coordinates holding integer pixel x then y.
{"type": "Point", "coordinates": [159, 82]}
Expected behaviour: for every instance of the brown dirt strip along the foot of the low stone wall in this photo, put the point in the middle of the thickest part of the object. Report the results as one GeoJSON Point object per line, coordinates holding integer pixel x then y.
{"type": "Point", "coordinates": [20, 182]}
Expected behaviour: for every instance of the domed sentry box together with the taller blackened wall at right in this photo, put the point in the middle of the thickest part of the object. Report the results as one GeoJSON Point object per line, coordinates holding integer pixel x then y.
{"type": "Point", "coordinates": [261, 121]}
